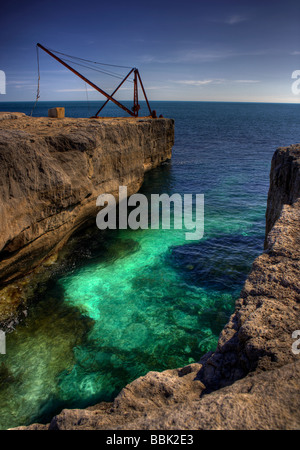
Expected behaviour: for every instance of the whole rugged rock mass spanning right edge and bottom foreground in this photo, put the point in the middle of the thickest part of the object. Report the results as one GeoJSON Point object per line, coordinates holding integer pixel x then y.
{"type": "Point", "coordinates": [252, 379]}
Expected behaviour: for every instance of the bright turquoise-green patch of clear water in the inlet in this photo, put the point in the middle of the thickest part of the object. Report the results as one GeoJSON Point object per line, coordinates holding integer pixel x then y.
{"type": "Point", "coordinates": [146, 316]}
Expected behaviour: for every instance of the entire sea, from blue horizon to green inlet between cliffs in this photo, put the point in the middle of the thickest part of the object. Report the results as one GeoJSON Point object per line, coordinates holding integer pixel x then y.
{"type": "Point", "coordinates": [119, 303]}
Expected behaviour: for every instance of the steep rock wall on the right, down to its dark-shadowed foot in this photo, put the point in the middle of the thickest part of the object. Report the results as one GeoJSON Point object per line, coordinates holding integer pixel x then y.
{"type": "Point", "coordinates": [259, 333]}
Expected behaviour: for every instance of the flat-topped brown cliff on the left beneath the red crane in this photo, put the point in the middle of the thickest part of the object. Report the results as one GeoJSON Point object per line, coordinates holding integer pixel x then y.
{"type": "Point", "coordinates": [52, 171]}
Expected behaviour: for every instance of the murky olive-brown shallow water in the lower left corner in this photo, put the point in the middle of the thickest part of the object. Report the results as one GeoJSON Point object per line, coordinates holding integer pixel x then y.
{"type": "Point", "coordinates": [36, 352]}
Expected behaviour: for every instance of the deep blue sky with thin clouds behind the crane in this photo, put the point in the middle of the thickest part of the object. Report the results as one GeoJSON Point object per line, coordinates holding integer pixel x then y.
{"type": "Point", "coordinates": [216, 50]}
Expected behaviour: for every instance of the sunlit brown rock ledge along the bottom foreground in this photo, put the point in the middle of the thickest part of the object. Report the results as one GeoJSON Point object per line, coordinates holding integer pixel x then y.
{"type": "Point", "coordinates": [264, 401]}
